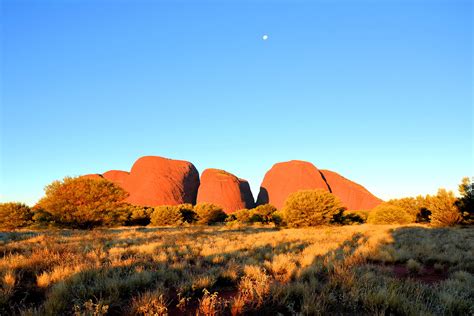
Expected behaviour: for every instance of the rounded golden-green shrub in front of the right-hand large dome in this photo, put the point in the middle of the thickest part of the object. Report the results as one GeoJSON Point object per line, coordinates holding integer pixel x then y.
{"type": "Point", "coordinates": [311, 208]}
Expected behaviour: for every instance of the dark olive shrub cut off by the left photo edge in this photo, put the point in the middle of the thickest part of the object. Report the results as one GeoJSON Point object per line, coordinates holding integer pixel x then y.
{"type": "Point", "coordinates": [15, 215]}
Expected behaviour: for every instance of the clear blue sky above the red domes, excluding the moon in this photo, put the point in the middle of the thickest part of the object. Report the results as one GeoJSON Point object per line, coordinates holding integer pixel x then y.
{"type": "Point", "coordinates": [379, 91]}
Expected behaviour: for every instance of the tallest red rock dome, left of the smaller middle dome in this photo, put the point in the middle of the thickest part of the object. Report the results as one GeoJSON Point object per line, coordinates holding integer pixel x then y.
{"type": "Point", "coordinates": [158, 181]}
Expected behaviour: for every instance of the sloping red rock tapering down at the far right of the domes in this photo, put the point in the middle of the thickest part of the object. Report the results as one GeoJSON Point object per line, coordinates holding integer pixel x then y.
{"type": "Point", "coordinates": [353, 195]}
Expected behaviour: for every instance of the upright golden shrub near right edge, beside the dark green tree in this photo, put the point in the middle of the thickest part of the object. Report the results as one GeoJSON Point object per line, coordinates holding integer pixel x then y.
{"type": "Point", "coordinates": [443, 209]}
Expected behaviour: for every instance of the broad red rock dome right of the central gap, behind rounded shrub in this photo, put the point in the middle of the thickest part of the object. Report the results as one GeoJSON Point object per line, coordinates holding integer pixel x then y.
{"type": "Point", "coordinates": [285, 178]}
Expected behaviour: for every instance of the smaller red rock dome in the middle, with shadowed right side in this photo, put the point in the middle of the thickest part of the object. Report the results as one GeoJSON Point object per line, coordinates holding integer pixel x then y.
{"type": "Point", "coordinates": [224, 189]}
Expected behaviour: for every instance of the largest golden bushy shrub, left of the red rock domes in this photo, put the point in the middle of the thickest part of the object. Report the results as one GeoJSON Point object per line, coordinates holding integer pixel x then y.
{"type": "Point", "coordinates": [82, 202]}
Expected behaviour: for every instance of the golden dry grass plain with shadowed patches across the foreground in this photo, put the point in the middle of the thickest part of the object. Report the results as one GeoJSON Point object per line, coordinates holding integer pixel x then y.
{"type": "Point", "coordinates": [363, 269]}
